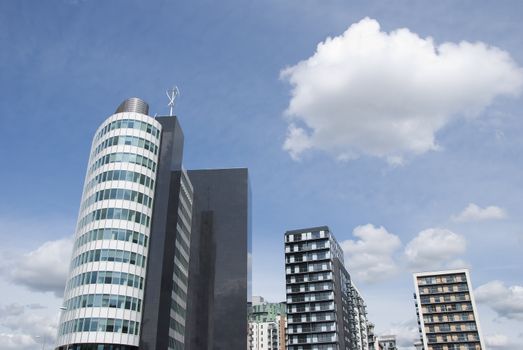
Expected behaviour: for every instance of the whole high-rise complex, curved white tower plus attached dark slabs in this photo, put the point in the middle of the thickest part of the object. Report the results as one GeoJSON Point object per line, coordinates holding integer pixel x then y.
{"type": "Point", "coordinates": [139, 237]}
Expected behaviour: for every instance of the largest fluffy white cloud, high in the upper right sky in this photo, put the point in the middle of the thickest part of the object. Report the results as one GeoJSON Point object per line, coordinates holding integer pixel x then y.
{"type": "Point", "coordinates": [387, 94]}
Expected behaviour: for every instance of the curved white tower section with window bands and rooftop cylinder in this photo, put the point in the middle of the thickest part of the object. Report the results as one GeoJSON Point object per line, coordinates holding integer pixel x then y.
{"type": "Point", "coordinates": [104, 295]}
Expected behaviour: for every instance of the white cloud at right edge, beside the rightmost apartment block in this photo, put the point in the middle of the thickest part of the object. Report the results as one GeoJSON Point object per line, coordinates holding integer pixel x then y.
{"type": "Point", "coordinates": [506, 301]}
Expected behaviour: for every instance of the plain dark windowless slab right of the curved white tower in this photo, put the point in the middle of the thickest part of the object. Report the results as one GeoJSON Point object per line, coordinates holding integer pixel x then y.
{"type": "Point", "coordinates": [218, 271]}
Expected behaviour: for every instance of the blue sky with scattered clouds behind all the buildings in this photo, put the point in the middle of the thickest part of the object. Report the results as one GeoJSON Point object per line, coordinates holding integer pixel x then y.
{"type": "Point", "coordinates": [66, 65]}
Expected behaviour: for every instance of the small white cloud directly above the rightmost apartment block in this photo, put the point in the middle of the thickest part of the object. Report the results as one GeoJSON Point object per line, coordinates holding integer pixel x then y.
{"type": "Point", "coordinates": [435, 248]}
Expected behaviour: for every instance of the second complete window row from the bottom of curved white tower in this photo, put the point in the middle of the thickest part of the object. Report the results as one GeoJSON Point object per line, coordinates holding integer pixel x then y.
{"type": "Point", "coordinates": [104, 300]}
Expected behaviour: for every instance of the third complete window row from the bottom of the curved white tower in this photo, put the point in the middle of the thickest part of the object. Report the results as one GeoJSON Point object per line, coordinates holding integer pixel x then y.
{"type": "Point", "coordinates": [106, 277]}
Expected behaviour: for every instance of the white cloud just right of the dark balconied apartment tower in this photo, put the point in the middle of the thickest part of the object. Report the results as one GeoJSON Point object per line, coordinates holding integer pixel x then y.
{"type": "Point", "coordinates": [371, 257]}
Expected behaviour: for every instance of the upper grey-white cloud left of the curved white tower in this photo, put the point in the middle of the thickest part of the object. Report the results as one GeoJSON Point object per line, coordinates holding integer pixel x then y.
{"type": "Point", "coordinates": [43, 269]}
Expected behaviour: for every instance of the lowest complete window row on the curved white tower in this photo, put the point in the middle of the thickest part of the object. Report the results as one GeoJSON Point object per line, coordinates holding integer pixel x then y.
{"type": "Point", "coordinates": [100, 325]}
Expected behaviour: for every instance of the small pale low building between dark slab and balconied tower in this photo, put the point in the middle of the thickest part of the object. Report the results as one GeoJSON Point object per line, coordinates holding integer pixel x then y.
{"type": "Point", "coordinates": [267, 323]}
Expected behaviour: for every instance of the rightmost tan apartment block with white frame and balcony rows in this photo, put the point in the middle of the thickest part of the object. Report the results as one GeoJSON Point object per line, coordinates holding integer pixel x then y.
{"type": "Point", "coordinates": [446, 309]}
